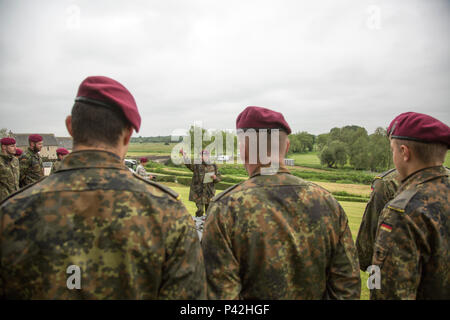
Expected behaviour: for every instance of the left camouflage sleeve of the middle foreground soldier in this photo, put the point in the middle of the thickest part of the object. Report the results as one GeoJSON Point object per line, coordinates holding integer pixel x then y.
{"type": "Point", "coordinates": [222, 267]}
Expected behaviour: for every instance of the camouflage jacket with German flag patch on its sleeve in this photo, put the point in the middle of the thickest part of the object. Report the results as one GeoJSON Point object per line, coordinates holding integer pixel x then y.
{"type": "Point", "coordinates": [412, 245]}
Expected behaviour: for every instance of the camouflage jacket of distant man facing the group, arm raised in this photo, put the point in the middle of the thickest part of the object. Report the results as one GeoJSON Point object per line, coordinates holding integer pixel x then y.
{"type": "Point", "coordinates": [202, 192]}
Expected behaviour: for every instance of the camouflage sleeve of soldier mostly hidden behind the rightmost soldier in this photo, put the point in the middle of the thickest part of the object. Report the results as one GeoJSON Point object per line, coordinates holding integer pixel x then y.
{"type": "Point", "coordinates": [366, 234]}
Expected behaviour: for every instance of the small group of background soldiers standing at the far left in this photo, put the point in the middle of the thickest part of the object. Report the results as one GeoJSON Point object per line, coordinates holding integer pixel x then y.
{"type": "Point", "coordinates": [18, 169]}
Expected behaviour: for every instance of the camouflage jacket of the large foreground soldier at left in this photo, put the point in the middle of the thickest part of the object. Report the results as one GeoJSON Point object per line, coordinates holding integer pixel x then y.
{"type": "Point", "coordinates": [131, 238]}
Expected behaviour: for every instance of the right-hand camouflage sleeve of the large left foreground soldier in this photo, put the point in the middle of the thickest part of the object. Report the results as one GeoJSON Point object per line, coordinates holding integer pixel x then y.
{"type": "Point", "coordinates": [184, 268]}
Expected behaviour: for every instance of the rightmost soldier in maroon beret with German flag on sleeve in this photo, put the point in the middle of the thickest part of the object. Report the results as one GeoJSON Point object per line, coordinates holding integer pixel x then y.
{"type": "Point", "coordinates": [412, 247]}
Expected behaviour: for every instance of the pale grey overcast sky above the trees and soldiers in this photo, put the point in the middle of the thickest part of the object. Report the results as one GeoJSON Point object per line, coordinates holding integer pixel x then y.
{"type": "Point", "coordinates": [321, 63]}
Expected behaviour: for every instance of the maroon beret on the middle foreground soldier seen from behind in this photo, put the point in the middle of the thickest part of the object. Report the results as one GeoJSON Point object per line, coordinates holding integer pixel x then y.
{"type": "Point", "coordinates": [261, 118]}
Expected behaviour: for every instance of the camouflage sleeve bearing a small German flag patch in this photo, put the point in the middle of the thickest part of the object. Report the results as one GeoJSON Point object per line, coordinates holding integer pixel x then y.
{"type": "Point", "coordinates": [398, 256]}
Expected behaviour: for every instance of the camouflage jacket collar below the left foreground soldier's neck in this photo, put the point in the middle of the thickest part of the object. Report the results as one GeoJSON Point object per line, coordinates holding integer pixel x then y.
{"type": "Point", "coordinates": [91, 159]}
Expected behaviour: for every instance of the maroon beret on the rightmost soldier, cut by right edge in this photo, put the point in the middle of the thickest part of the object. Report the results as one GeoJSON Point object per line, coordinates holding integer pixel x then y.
{"type": "Point", "coordinates": [419, 127]}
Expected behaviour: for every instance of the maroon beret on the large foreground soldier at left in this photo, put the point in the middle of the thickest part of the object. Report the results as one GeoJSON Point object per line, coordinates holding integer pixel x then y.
{"type": "Point", "coordinates": [109, 93]}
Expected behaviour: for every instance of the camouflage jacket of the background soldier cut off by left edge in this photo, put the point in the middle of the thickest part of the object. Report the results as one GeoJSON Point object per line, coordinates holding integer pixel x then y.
{"type": "Point", "coordinates": [9, 175]}
